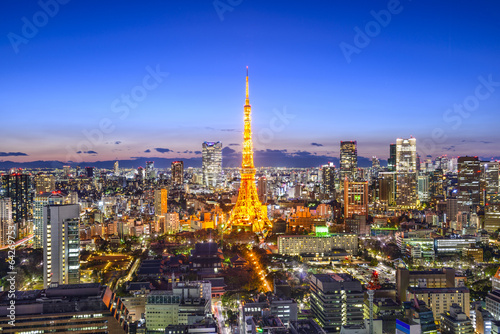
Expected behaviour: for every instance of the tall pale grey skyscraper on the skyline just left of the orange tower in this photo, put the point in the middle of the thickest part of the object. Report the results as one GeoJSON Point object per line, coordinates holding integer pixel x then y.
{"type": "Point", "coordinates": [212, 164]}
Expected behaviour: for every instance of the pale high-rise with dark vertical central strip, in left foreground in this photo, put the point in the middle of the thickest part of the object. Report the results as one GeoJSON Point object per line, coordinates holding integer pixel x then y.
{"type": "Point", "coordinates": [61, 244]}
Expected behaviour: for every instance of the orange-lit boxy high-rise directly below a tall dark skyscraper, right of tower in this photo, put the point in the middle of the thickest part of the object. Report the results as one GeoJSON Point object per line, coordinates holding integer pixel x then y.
{"type": "Point", "coordinates": [355, 199]}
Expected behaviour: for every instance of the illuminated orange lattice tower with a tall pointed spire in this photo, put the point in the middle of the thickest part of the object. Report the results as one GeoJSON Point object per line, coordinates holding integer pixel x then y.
{"type": "Point", "coordinates": [248, 214]}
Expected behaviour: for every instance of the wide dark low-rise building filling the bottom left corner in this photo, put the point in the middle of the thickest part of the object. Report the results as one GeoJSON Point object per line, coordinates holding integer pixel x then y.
{"type": "Point", "coordinates": [75, 308]}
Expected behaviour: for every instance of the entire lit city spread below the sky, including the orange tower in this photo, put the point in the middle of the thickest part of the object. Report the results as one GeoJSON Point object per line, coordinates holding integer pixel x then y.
{"type": "Point", "coordinates": [409, 247]}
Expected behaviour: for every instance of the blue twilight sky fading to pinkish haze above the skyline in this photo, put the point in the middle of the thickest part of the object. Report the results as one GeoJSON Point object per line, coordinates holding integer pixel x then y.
{"type": "Point", "coordinates": [320, 72]}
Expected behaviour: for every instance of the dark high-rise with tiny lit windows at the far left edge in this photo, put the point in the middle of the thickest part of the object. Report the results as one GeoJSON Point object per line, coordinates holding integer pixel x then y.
{"type": "Point", "coordinates": [16, 186]}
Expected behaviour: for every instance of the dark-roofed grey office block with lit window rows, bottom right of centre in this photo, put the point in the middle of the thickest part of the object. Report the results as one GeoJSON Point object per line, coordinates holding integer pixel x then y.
{"type": "Point", "coordinates": [336, 300]}
